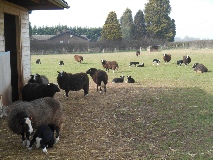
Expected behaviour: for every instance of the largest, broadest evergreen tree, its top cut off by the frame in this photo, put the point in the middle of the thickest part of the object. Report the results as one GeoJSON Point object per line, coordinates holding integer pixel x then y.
{"type": "Point", "coordinates": [157, 19]}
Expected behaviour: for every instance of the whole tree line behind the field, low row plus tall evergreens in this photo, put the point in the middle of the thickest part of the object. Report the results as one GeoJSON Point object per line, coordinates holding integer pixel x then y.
{"type": "Point", "coordinates": [153, 23]}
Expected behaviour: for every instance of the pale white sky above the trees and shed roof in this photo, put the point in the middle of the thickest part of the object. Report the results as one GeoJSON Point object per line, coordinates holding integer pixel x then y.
{"type": "Point", "coordinates": [193, 18]}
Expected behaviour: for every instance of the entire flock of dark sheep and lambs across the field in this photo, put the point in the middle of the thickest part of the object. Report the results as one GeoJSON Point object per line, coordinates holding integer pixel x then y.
{"type": "Point", "coordinates": [25, 118]}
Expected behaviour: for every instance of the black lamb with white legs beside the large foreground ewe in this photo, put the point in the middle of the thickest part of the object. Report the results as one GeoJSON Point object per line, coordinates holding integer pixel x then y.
{"type": "Point", "coordinates": [44, 137]}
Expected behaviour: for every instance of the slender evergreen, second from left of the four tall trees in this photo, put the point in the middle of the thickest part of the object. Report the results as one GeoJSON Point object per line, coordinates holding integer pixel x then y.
{"type": "Point", "coordinates": [127, 26]}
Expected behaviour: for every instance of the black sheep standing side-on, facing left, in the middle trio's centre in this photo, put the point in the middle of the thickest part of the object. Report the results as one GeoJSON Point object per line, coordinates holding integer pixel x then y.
{"type": "Point", "coordinates": [73, 82]}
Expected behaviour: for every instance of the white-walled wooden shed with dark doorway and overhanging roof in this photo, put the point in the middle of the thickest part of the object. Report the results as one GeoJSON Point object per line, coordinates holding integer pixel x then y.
{"type": "Point", "coordinates": [15, 67]}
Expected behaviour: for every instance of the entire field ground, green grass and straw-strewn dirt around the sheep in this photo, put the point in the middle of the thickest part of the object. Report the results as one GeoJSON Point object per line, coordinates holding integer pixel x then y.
{"type": "Point", "coordinates": [166, 114]}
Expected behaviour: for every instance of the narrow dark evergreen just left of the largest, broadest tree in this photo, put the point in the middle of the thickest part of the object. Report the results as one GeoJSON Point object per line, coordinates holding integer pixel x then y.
{"type": "Point", "coordinates": [139, 25]}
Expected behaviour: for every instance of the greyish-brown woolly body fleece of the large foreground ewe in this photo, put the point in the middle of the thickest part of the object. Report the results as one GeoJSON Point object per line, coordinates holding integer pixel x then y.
{"type": "Point", "coordinates": [43, 111]}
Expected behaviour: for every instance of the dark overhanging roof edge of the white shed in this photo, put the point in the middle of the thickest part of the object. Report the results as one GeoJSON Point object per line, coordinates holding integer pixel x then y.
{"type": "Point", "coordinates": [41, 4]}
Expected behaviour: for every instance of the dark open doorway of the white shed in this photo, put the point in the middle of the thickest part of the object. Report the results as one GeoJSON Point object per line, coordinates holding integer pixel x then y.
{"type": "Point", "coordinates": [10, 45]}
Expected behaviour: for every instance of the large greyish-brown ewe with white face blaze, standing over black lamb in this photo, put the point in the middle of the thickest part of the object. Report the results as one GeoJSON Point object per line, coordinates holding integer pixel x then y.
{"type": "Point", "coordinates": [26, 116]}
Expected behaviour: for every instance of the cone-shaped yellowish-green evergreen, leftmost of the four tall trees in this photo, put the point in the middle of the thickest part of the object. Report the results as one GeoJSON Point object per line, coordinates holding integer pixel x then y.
{"type": "Point", "coordinates": [111, 30]}
